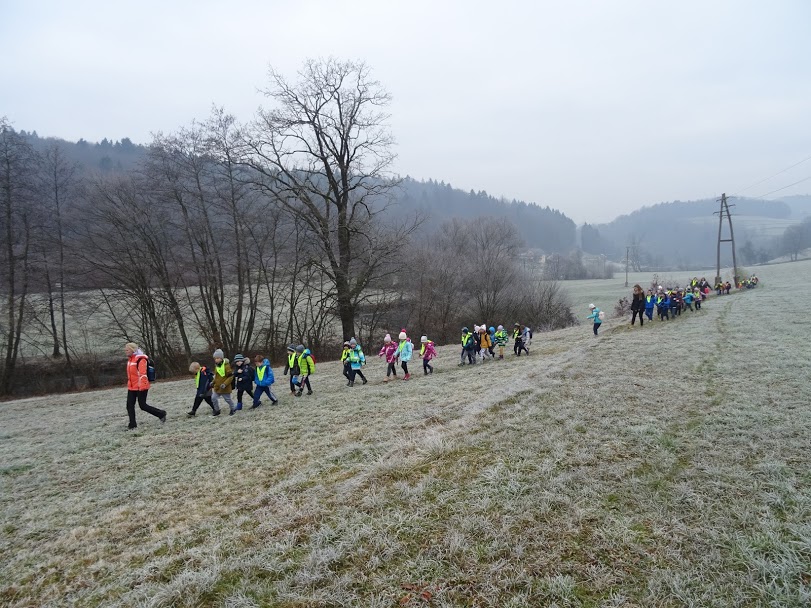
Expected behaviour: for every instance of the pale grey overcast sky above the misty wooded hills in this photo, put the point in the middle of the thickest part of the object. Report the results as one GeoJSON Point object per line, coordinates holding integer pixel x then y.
{"type": "Point", "coordinates": [591, 107]}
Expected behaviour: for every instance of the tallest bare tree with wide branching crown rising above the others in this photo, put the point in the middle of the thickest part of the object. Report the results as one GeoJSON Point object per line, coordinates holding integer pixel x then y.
{"type": "Point", "coordinates": [324, 152]}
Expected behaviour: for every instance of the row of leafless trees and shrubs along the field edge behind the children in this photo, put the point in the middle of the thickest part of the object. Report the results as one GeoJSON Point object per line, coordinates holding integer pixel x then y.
{"type": "Point", "coordinates": [241, 236]}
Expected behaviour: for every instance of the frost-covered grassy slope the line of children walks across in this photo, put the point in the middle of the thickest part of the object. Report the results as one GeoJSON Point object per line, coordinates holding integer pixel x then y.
{"type": "Point", "coordinates": [664, 466]}
